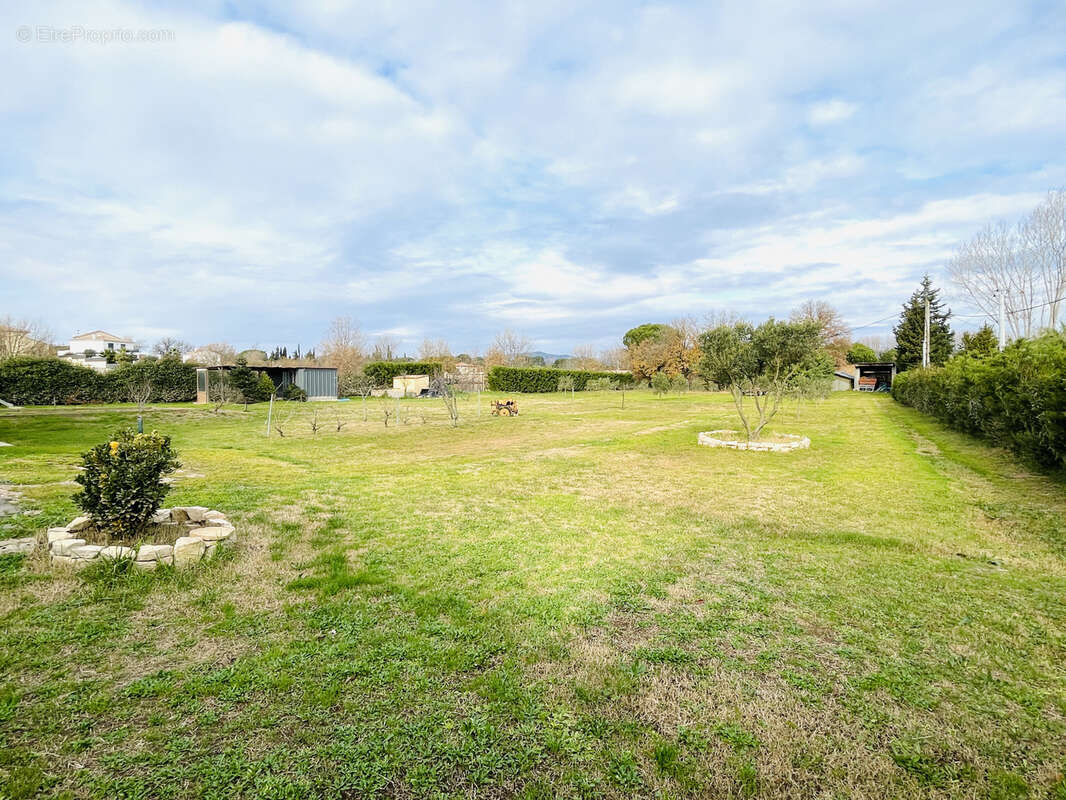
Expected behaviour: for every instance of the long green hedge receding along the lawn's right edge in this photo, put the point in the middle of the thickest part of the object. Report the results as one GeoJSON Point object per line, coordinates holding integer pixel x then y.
{"type": "Point", "coordinates": [1016, 398]}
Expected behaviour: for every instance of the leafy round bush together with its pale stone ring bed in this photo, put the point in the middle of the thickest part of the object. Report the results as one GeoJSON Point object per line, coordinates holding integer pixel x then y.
{"type": "Point", "coordinates": [123, 527]}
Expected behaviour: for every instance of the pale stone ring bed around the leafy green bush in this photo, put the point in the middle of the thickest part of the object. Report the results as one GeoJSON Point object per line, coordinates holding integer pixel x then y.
{"type": "Point", "coordinates": [199, 531]}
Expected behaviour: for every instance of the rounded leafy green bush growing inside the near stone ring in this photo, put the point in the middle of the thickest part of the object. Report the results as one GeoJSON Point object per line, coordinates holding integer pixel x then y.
{"type": "Point", "coordinates": [122, 482]}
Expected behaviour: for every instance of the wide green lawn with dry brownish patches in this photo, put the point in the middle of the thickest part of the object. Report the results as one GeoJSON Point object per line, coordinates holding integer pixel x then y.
{"type": "Point", "coordinates": [578, 602]}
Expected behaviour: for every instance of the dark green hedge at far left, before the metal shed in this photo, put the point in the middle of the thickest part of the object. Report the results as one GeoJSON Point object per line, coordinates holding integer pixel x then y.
{"type": "Point", "coordinates": [27, 381]}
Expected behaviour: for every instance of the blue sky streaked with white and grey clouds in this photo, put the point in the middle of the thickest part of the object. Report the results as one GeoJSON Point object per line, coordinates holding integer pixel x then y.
{"type": "Point", "coordinates": [248, 171]}
